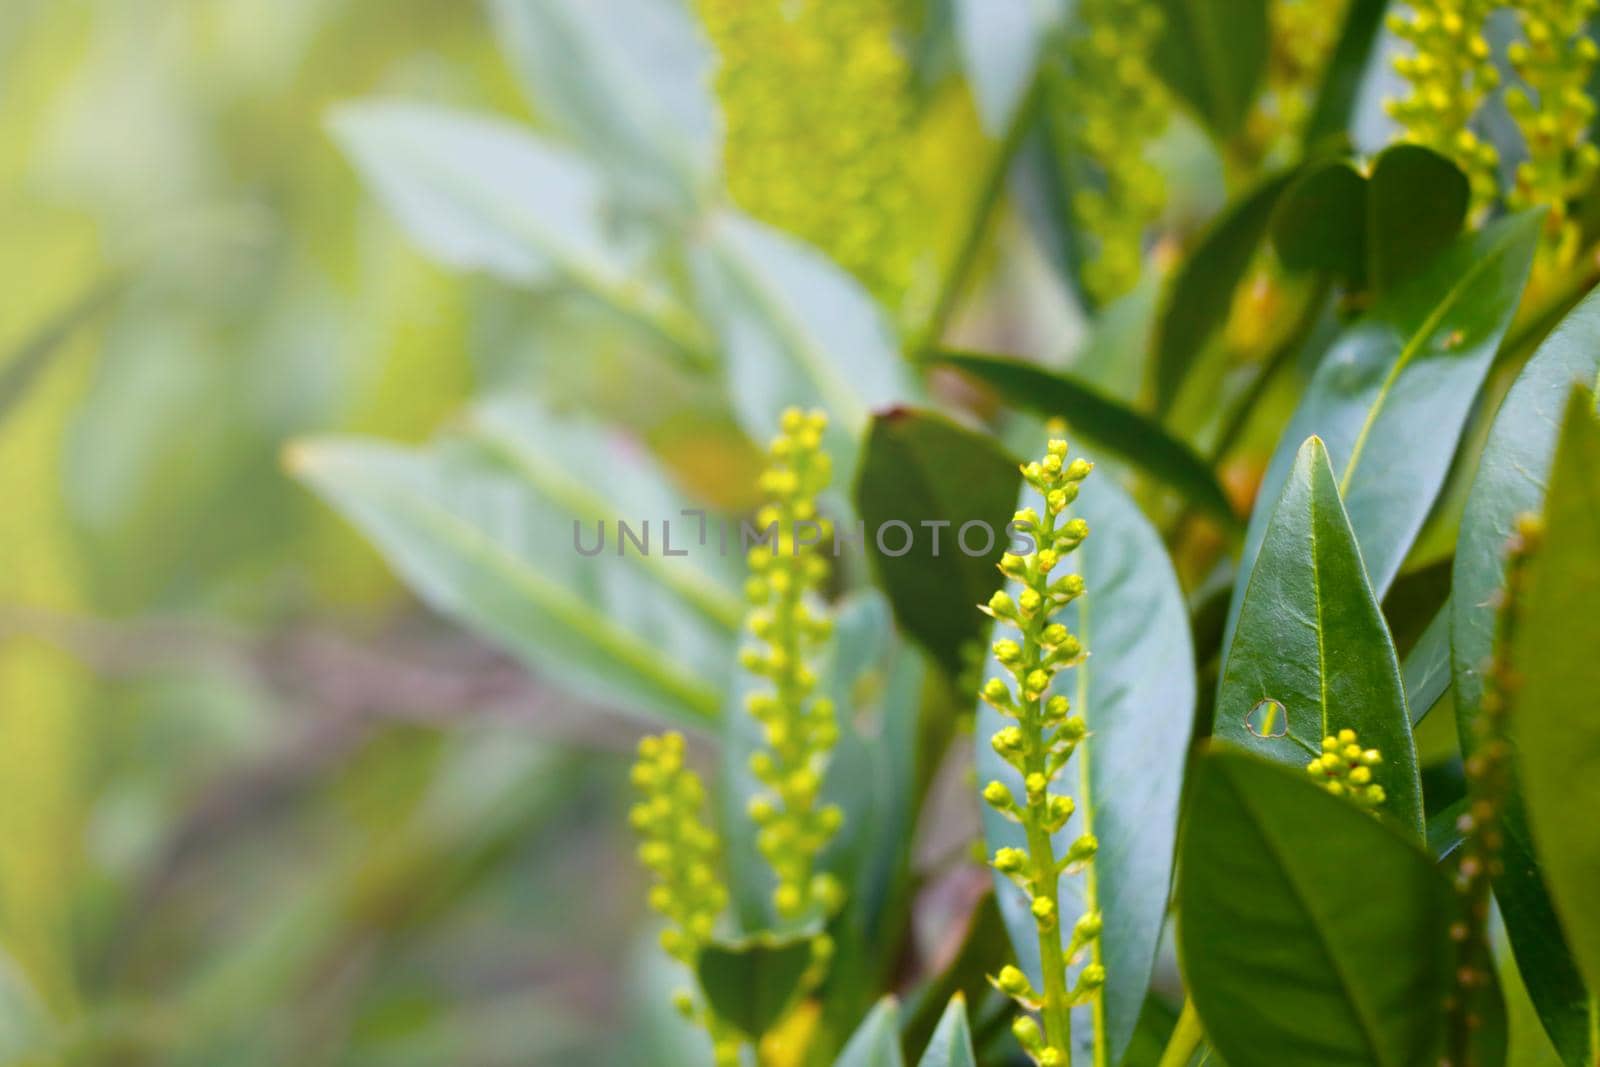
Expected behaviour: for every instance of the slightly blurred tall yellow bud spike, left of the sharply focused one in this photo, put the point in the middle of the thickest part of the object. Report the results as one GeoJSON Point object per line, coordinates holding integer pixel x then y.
{"type": "Point", "coordinates": [799, 727]}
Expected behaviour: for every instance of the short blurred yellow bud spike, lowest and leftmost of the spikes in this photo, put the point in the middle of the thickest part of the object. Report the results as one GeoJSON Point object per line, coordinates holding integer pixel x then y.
{"type": "Point", "coordinates": [684, 855]}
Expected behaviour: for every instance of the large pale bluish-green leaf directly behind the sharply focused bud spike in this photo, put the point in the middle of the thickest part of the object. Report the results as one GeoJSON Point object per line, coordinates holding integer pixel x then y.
{"type": "Point", "coordinates": [1137, 693]}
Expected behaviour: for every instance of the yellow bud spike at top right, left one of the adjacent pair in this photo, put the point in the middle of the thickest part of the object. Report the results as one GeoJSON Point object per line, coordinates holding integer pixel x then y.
{"type": "Point", "coordinates": [1450, 73]}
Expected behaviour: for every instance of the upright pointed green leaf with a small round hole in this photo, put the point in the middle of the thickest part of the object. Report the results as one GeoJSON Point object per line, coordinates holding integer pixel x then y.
{"type": "Point", "coordinates": [1313, 655]}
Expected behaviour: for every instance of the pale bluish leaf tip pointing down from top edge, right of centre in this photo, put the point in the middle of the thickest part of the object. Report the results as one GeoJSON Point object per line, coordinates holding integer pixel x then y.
{"type": "Point", "coordinates": [1001, 44]}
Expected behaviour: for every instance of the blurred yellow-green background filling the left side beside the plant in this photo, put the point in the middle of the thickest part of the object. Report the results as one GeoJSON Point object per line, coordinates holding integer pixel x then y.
{"type": "Point", "coordinates": [255, 805]}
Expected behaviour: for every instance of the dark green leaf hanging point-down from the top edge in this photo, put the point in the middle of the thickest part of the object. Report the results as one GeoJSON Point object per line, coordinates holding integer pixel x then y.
{"type": "Point", "coordinates": [1214, 55]}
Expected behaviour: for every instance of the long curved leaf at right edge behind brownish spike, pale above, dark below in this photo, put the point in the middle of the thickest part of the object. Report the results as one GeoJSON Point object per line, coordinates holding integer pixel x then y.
{"type": "Point", "coordinates": [1511, 481]}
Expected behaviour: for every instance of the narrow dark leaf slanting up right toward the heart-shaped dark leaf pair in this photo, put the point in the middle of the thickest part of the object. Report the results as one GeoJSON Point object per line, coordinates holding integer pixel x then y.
{"type": "Point", "coordinates": [1201, 297]}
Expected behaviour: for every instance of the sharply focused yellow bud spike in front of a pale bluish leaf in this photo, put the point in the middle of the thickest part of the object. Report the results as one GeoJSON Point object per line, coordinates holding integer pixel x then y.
{"type": "Point", "coordinates": [1038, 741]}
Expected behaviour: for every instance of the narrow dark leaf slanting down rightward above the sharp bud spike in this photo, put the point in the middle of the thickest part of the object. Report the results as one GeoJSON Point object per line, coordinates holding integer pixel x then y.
{"type": "Point", "coordinates": [1103, 422]}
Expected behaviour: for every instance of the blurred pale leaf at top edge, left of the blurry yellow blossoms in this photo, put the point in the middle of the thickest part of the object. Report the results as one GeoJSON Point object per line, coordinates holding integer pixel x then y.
{"type": "Point", "coordinates": [625, 79]}
